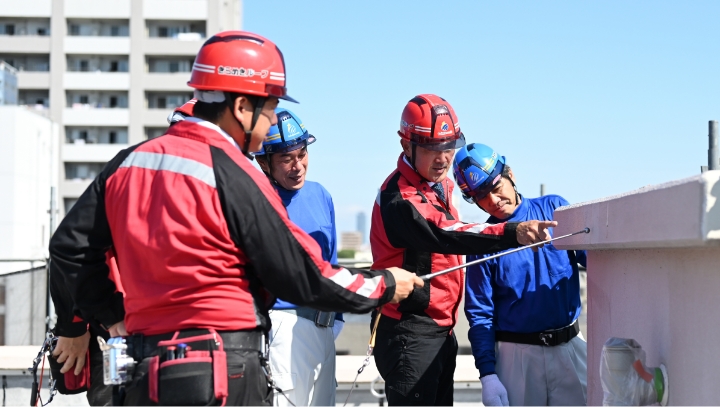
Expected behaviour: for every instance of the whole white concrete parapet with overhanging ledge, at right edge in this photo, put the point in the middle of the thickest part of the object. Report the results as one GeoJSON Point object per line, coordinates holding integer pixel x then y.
{"type": "Point", "coordinates": [654, 276]}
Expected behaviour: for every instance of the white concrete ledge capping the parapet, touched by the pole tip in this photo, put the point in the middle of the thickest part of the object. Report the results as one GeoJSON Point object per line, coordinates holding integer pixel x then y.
{"type": "Point", "coordinates": [683, 213]}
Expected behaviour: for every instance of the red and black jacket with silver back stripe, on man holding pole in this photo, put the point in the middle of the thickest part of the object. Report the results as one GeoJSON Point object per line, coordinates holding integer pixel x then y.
{"type": "Point", "coordinates": [201, 238]}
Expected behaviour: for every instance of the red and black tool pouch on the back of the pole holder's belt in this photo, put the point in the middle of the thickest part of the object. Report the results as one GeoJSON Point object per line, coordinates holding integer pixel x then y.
{"type": "Point", "coordinates": [198, 379]}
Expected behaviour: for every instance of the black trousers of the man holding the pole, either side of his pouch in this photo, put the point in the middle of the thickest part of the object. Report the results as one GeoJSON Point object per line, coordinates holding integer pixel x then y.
{"type": "Point", "coordinates": [247, 384]}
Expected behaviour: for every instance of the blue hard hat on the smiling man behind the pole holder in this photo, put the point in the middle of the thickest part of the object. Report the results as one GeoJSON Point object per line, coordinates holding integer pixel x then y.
{"type": "Point", "coordinates": [287, 135]}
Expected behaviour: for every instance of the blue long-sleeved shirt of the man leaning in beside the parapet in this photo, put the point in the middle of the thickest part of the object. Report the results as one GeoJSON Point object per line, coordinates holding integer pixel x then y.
{"type": "Point", "coordinates": [523, 292]}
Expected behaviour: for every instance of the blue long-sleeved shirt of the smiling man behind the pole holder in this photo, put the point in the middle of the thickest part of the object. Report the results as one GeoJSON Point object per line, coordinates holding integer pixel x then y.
{"type": "Point", "coordinates": [312, 209]}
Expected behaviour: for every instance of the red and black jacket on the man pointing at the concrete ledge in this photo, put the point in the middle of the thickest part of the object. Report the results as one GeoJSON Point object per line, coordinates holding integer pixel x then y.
{"type": "Point", "coordinates": [414, 229]}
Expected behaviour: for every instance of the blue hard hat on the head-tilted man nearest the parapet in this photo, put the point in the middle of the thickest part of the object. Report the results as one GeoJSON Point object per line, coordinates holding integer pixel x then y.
{"type": "Point", "coordinates": [477, 169]}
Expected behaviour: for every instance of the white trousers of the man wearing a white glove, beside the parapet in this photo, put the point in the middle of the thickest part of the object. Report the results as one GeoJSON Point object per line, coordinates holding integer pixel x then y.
{"type": "Point", "coordinates": [543, 375]}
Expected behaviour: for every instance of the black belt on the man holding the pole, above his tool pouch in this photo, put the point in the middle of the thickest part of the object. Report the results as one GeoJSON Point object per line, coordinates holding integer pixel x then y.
{"type": "Point", "coordinates": [144, 346]}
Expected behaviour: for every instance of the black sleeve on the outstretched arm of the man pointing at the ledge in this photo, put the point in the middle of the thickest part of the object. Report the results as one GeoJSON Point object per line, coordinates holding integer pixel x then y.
{"type": "Point", "coordinates": [405, 227]}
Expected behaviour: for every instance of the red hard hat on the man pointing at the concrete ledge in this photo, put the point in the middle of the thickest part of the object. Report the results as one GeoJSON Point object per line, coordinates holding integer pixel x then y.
{"type": "Point", "coordinates": [429, 121]}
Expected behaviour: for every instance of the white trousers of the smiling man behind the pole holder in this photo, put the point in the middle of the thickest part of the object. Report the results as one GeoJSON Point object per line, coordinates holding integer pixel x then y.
{"type": "Point", "coordinates": [302, 359]}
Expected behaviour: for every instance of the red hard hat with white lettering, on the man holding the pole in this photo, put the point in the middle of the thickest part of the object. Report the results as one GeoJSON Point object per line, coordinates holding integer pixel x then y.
{"type": "Point", "coordinates": [242, 62]}
